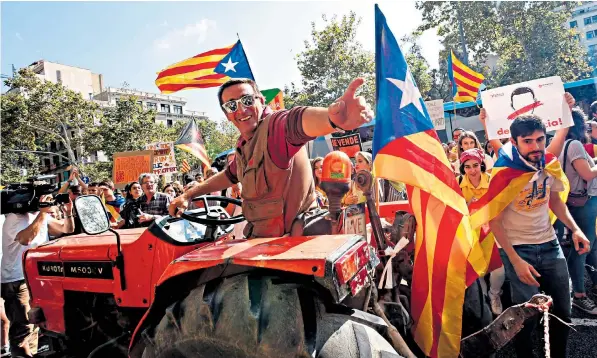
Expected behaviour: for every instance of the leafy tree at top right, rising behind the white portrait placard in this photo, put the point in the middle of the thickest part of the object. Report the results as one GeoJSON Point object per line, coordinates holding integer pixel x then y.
{"type": "Point", "coordinates": [529, 38]}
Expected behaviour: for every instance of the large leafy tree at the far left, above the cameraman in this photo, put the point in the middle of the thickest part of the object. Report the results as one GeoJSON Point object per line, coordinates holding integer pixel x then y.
{"type": "Point", "coordinates": [36, 113]}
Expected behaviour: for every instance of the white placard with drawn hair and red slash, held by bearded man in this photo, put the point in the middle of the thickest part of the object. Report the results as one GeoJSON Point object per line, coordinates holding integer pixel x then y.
{"type": "Point", "coordinates": [543, 97]}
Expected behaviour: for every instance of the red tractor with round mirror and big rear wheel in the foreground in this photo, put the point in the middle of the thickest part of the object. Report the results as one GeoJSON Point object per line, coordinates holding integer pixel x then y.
{"type": "Point", "coordinates": [183, 287]}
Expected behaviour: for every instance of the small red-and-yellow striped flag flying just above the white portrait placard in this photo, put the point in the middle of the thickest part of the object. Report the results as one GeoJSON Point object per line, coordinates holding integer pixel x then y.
{"type": "Point", "coordinates": [465, 82]}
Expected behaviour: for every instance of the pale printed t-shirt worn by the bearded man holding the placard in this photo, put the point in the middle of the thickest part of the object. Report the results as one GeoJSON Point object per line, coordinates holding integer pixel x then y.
{"type": "Point", "coordinates": [526, 219]}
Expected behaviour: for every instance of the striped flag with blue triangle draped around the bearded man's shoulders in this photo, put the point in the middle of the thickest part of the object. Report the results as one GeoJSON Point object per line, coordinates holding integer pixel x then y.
{"type": "Point", "coordinates": [510, 174]}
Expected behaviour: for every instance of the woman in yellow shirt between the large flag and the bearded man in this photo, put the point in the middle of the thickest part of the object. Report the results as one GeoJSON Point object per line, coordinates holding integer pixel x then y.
{"type": "Point", "coordinates": [474, 183]}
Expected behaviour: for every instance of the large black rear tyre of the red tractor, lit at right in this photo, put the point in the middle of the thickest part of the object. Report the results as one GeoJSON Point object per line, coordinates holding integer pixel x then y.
{"type": "Point", "coordinates": [257, 316]}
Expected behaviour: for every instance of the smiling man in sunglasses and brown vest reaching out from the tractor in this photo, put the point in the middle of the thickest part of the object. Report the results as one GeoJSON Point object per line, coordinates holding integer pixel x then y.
{"type": "Point", "coordinates": [271, 162]}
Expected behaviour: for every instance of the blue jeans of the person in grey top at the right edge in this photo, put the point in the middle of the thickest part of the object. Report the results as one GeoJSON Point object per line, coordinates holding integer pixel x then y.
{"type": "Point", "coordinates": [585, 218]}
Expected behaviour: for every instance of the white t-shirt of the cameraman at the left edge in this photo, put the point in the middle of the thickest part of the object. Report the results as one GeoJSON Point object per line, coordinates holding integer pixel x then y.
{"type": "Point", "coordinates": [12, 265]}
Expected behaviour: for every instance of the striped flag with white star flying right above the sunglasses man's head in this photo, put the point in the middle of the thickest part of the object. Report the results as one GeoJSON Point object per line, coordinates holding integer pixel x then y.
{"type": "Point", "coordinates": [208, 69]}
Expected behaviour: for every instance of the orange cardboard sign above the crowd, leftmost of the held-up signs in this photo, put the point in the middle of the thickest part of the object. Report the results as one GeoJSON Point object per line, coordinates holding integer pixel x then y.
{"type": "Point", "coordinates": [128, 166]}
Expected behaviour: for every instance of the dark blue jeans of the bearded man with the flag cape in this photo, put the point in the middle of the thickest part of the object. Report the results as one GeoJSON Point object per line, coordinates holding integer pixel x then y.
{"type": "Point", "coordinates": [548, 259]}
